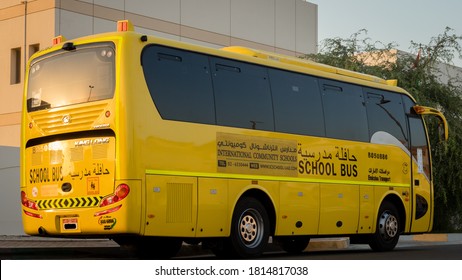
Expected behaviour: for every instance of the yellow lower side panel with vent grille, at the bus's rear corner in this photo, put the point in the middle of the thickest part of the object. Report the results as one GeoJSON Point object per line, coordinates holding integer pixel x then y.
{"type": "Point", "coordinates": [171, 206]}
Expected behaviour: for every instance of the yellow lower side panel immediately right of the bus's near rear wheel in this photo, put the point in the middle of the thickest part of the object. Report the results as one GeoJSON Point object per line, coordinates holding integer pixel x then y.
{"type": "Point", "coordinates": [299, 209]}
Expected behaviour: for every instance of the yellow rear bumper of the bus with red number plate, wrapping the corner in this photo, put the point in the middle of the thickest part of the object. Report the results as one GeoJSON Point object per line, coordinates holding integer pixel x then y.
{"type": "Point", "coordinates": [101, 219]}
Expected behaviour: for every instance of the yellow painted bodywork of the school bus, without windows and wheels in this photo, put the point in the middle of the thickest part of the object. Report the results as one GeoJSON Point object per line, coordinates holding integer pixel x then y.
{"type": "Point", "coordinates": [310, 185]}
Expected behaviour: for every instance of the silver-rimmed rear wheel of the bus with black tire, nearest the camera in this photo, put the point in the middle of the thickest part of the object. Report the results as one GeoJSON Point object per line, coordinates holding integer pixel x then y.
{"type": "Point", "coordinates": [250, 228]}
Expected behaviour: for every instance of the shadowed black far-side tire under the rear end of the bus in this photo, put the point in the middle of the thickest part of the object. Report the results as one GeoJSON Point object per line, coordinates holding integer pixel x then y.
{"type": "Point", "coordinates": [151, 247]}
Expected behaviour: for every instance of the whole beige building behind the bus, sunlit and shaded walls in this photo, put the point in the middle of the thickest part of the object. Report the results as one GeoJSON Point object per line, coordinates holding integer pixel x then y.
{"type": "Point", "coordinates": [282, 26]}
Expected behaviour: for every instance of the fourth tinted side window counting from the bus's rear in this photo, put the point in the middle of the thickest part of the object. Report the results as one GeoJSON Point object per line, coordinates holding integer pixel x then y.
{"type": "Point", "coordinates": [344, 111]}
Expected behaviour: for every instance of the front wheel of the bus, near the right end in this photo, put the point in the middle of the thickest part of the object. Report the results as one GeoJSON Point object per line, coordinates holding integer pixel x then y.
{"type": "Point", "coordinates": [388, 228]}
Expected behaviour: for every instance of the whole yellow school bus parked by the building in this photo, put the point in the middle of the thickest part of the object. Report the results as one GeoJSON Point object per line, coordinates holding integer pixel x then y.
{"type": "Point", "coordinates": [153, 142]}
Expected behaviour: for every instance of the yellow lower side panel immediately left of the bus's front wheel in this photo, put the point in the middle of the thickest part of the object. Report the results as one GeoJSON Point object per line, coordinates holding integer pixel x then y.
{"type": "Point", "coordinates": [339, 209]}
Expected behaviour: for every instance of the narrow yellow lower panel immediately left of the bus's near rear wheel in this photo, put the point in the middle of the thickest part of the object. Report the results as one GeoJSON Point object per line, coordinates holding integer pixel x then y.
{"type": "Point", "coordinates": [213, 218]}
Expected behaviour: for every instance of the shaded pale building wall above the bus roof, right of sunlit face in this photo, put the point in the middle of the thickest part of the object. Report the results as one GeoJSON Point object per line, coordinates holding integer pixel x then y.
{"type": "Point", "coordinates": [283, 26]}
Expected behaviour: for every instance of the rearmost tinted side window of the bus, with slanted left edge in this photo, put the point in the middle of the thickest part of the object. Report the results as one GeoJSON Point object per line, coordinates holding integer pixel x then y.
{"type": "Point", "coordinates": [180, 84]}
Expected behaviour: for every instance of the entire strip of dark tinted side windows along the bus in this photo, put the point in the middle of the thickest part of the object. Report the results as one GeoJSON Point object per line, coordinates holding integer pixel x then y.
{"type": "Point", "coordinates": [193, 87]}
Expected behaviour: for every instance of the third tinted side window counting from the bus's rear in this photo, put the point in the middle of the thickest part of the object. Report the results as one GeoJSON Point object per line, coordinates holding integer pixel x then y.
{"type": "Point", "coordinates": [297, 103]}
